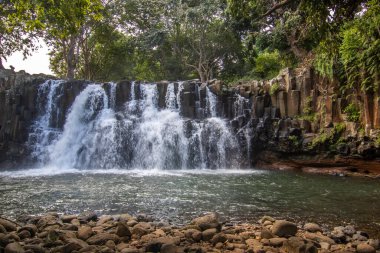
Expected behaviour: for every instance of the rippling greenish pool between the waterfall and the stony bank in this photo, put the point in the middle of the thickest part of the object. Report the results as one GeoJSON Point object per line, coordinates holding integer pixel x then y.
{"type": "Point", "coordinates": [179, 195]}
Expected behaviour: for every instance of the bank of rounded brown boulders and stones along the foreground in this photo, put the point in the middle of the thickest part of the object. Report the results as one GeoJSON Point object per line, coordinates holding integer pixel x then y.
{"type": "Point", "coordinates": [123, 233]}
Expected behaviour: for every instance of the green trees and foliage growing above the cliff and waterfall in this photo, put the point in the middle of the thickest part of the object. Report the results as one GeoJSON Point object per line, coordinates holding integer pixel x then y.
{"type": "Point", "coordinates": [166, 39]}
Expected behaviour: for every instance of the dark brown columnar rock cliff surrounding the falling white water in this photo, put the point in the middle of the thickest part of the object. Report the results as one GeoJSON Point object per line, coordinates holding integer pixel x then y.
{"type": "Point", "coordinates": [297, 120]}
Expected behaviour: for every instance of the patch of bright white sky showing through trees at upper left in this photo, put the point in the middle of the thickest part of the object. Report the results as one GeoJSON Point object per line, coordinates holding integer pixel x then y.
{"type": "Point", "coordinates": [37, 63]}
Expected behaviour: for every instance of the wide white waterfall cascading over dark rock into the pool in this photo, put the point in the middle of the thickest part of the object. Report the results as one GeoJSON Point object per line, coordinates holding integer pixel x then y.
{"type": "Point", "coordinates": [138, 135]}
